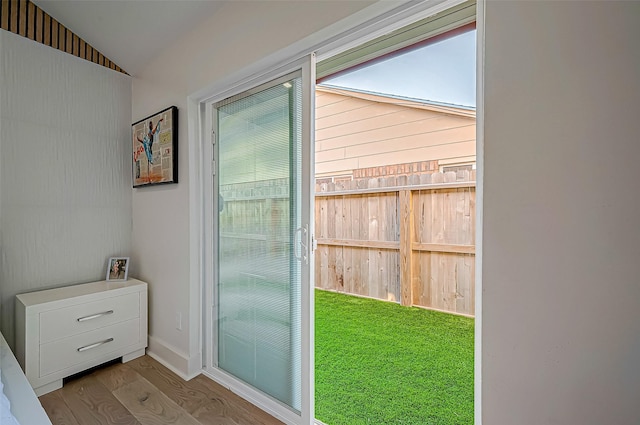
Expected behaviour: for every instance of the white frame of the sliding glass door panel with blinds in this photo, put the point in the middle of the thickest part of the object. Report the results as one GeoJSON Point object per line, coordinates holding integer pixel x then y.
{"type": "Point", "coordinates": [307, 66]}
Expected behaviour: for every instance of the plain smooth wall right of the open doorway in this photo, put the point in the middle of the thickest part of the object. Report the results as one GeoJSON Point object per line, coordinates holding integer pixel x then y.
{"type": "Point", "coordinates": [561, 276]}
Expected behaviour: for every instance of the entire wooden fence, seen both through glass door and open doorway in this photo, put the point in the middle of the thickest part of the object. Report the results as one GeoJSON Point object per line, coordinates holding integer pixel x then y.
{"type": "Point", "coordinates": [408, 239]}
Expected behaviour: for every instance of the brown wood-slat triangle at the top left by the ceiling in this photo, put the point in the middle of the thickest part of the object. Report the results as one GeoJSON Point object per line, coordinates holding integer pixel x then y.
{"type": "Point", "coordinates": [24, 18]}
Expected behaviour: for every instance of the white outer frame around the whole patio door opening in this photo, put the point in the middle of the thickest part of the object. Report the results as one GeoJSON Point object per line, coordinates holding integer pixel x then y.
{"type": "Point", "coordinates": [378, 19]}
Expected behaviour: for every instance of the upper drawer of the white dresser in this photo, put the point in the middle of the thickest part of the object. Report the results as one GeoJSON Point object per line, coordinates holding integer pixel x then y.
{"type": "Point", "coordinates": [80, 318]}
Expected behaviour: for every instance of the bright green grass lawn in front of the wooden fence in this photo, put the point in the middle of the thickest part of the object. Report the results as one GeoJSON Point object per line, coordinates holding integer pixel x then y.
{"type": "Point", "coordinates": [381, 363]}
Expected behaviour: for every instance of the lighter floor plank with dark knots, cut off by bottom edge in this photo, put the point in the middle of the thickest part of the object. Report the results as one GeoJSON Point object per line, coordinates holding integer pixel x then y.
{"type": "Point", "coordinates": [151, 406]}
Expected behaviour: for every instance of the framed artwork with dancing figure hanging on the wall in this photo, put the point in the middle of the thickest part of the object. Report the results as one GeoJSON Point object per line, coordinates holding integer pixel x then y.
{"type": "Point", "coordinates": [155, 149]}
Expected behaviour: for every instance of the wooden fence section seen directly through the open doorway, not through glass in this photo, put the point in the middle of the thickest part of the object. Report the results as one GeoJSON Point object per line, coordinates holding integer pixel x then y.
{"type": "Point", "coordinates": [409, 239]}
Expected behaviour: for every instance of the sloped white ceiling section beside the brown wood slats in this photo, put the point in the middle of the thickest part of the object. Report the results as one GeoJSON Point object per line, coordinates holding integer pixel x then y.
{"type": "Point", "coordinates": [129, 32]}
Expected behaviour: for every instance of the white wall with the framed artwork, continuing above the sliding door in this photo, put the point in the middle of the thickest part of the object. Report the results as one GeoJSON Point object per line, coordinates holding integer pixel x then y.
{"type": "Point", "coordinates": [237, 36]}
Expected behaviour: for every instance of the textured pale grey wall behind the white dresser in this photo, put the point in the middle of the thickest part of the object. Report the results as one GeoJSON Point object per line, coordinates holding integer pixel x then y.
{"type": "Point", "coordinates": [65, 176]}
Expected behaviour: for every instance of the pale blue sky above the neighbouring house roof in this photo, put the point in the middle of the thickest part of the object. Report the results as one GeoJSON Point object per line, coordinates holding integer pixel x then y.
{"type": "Point", "coordinates": [444, 72]}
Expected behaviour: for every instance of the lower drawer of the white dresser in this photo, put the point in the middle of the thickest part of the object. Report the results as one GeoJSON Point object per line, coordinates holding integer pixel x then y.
{"type": "Point", "coordinates": [74, 350]}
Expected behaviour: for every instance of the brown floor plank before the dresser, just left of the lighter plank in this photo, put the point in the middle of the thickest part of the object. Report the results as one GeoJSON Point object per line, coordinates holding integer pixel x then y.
{"type": "Point", "coordinates": [92, 403]}
